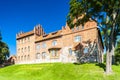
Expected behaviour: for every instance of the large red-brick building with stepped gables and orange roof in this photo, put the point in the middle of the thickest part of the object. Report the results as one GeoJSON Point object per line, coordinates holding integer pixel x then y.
{"type": "Point", "coordinates": [81, 43]}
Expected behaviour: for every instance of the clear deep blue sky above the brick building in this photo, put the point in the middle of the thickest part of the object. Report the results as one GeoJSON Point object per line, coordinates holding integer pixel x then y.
{"type": "Point", "coordinates": [23, 15]}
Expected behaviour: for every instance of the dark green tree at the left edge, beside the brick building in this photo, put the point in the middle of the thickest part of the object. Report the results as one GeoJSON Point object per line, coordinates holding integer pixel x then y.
{"type": "Point", "coordinates": [4, 50]}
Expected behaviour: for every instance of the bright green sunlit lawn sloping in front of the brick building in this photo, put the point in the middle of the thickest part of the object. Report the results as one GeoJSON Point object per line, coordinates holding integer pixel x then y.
{"type": "Point", "coordinates": [57, 71]}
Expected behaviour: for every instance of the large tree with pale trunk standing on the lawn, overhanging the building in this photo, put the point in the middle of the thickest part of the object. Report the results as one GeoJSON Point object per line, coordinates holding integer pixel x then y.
{"type": "Point", "coordinates": [106, 13]}
